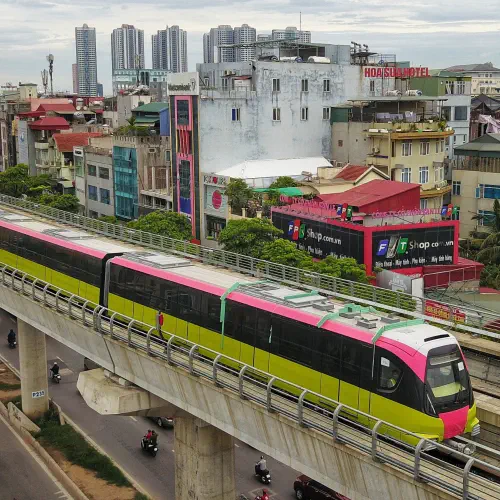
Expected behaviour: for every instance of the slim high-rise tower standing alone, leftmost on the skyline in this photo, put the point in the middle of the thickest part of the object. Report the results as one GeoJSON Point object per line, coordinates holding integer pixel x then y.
{"type": "Point", "coordinates": [86, 60]}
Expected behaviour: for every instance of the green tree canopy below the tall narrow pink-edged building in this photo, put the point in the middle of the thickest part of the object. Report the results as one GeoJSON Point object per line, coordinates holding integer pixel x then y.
{"type": "Point", "coordinates": [170, 224]}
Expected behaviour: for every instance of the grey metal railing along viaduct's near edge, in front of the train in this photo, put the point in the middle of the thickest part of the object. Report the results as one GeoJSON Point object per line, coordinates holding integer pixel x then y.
{"type": "Point", "coordinates": [375, 439]}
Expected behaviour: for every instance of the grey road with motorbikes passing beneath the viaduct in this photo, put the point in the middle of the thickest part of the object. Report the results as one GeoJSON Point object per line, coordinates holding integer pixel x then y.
{"type": "Point", "coordinates": [119, 436]}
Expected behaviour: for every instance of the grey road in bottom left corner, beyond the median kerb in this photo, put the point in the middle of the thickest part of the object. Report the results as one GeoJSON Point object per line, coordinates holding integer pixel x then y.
{"type": "Point", "coordinates": [23, 476]}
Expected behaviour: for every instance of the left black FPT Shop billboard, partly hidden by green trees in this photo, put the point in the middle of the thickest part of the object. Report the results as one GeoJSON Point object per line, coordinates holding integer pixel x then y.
{"type": "Point", "coordinates": [319, 238]}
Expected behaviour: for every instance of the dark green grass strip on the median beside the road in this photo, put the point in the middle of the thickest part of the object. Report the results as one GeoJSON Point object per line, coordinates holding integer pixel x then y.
{"type": "Point", "coordinates": [77, 451]}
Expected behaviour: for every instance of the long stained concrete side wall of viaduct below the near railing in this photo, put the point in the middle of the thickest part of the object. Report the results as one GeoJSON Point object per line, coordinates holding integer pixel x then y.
{"type": "Point", "coordinates": [340, 467]}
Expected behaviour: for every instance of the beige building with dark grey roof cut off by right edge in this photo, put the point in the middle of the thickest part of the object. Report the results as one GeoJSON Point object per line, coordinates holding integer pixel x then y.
{"type": "Point", "coordinates": [476, 180]}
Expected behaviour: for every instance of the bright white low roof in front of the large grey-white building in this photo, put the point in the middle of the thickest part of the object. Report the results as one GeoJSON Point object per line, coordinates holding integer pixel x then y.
{"type": "Point", "coordinates": [292, 167]}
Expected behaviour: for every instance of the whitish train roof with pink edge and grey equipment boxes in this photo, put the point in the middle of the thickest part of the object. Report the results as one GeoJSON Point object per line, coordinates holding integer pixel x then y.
{"type": "Point", "coordinates": [298, 303]}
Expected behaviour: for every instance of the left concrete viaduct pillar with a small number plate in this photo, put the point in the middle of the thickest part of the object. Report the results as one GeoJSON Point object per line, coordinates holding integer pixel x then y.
{"type": "Point", "coordinates": [33, 369]}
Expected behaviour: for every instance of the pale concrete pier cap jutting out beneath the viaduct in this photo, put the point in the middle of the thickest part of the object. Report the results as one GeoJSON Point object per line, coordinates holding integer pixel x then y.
{"type": "Point", "coordinates": [106, 394]}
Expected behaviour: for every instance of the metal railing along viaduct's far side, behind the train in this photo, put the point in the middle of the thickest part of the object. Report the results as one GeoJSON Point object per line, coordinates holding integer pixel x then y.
{"type": "Point", "coordinates": [475, 321]}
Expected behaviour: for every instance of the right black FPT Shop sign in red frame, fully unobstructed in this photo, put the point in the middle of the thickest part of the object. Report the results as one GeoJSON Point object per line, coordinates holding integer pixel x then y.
{"type": "Point", "coordinates": [418, 247]}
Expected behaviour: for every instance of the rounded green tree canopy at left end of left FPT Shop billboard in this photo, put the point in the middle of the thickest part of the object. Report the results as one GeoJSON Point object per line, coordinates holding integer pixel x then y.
{"type": "Point", "coordinates": [248, 236]}
